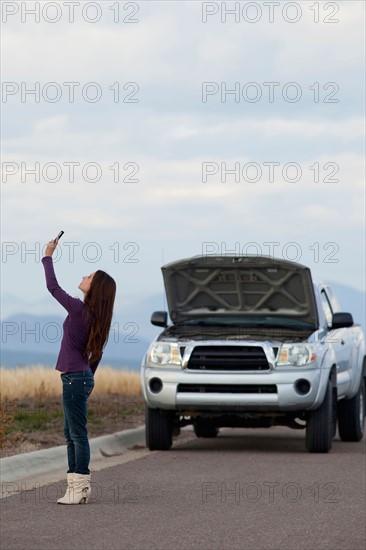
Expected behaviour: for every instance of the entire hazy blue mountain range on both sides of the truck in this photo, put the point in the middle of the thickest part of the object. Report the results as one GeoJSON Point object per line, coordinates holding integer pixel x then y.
{"type": "Point", "coordinates": [31, 338]}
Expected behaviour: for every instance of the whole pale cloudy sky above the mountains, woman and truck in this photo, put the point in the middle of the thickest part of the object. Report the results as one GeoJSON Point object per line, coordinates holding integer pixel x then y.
{"type": "Point", "coordinates": [170, 132]}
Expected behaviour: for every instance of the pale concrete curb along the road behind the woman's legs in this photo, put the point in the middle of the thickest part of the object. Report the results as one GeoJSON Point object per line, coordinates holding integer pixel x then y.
{"type": "Point", "coordinates": [30, 465]}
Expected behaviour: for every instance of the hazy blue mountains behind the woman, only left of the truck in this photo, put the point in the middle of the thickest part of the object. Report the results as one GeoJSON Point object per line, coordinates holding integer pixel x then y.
{"type": "Point", "coordinates": [32, 337]}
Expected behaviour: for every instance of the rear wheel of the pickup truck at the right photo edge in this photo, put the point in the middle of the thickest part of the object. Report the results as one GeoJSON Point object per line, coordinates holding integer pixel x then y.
{"type": "Point", "coordinates": [351, 416]}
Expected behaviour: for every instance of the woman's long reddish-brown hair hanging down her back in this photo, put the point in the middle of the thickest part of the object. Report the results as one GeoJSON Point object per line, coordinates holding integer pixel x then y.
{"type": "Point", "coordinates": [99, 301]}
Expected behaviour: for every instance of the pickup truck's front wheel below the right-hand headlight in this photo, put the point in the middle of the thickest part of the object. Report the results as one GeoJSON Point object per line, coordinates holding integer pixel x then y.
{"type": "Point", "coordinates": [319, 427]}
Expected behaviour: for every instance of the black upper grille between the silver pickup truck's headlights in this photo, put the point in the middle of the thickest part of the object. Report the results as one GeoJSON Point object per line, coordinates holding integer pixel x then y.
{"type": "Point", "coordinates": [234, 358]}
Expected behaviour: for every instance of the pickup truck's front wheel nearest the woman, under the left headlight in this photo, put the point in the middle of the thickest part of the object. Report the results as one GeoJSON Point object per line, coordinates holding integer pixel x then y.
{"type": "Point", "coordinates": [159, 429]}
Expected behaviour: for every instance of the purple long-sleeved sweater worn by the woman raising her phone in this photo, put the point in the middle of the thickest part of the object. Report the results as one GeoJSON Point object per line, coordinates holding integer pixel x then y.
{"type": "Point", "coordinates": [75, 332]}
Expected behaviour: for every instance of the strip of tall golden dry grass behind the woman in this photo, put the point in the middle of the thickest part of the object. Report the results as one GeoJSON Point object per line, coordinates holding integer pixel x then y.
{"type": "Point", "coordinates": [42, 382]}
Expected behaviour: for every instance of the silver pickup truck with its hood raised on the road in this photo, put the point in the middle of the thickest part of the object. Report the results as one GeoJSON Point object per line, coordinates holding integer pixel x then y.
{"type": "Point", "coordinates": [253, 342]}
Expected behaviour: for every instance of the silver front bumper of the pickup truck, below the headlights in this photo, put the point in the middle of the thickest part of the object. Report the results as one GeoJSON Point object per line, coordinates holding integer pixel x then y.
{"type": "Point", "coordinates": [182, 390]}
